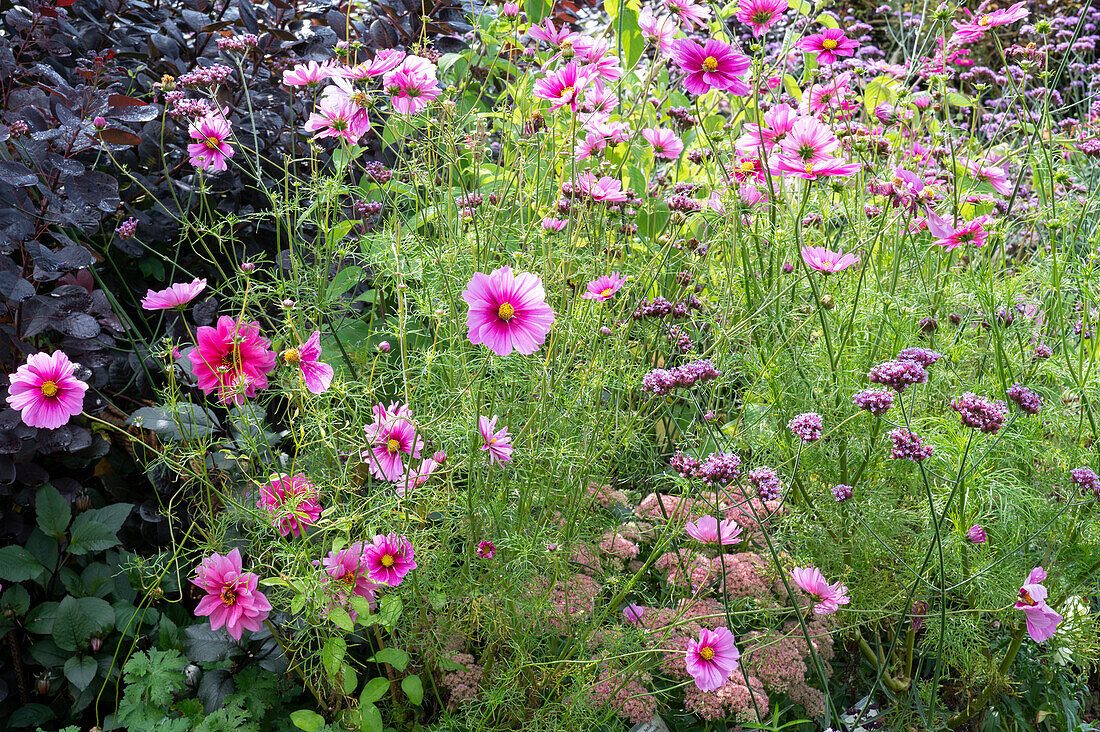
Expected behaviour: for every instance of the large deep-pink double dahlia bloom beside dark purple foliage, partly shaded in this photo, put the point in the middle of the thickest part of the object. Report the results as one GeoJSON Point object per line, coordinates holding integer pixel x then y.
{"type": "Point", "coordinates": [233, 359]}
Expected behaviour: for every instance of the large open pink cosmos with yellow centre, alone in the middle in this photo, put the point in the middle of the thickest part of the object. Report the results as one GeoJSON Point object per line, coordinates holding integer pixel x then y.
{"type": "Point", "coordinates": [508, 312]}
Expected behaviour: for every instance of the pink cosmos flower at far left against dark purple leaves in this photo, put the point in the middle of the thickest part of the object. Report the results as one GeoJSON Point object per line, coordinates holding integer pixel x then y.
{"type": "Point", "coordinates": [46, 391]}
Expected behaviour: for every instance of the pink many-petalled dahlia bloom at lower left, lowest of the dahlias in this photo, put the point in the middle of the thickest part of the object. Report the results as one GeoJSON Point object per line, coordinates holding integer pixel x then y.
{"type": "Point", "coordinates": [233, 598]}
